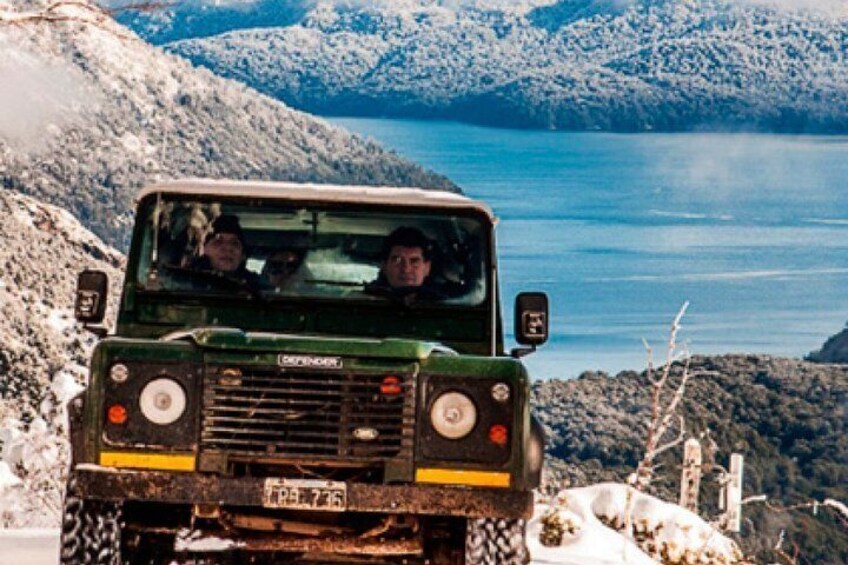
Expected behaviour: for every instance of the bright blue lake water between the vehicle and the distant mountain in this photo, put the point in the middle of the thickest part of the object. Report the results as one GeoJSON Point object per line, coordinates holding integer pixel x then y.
{"type": "Point", "coordinates": [620, 230]}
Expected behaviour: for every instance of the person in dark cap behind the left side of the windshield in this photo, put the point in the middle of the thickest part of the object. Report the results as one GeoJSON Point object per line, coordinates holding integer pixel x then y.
{"type": "Point", "coordinates": [223, 250]}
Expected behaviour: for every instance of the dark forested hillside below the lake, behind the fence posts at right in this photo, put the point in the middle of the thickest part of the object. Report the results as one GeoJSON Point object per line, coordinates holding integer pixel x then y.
{"type": "Point", "coordinates": [788, 418]}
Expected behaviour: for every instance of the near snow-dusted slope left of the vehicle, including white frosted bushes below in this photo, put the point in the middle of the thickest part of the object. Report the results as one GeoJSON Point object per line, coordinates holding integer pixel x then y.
{"type": "Point", "coordinates": [43, 354]}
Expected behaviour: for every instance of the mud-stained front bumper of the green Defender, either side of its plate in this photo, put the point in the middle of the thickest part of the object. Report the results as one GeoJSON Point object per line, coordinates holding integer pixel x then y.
{"type": "Point", "coordinates": [105, 483]}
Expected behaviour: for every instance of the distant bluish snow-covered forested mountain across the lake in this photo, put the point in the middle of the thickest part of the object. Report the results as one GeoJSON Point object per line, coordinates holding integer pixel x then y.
{"type": "Point", "coordinates": [582, 64]}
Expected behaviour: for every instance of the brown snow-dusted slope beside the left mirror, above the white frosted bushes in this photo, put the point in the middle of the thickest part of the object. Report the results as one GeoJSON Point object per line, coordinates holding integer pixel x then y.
{"type": "Point", "coordinates": [43, 249]}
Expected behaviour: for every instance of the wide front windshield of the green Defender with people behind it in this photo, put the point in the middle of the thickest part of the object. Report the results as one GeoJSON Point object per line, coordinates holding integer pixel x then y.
{"type": "Point", "coordinates": [275, 250]}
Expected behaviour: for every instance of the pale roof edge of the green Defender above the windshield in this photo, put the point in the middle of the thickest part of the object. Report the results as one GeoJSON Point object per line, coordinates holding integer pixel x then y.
{"type": "Point", "coordinates": [383, 195]}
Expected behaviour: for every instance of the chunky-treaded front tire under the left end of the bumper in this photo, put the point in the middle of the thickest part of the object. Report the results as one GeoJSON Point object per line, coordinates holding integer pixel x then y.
{"type": "Point", "coordinates": [91, 531]}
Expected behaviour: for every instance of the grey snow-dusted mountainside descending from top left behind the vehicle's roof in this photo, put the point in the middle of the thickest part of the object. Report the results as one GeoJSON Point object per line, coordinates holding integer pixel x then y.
{"type": "Point", "coordinates": [90, 112]}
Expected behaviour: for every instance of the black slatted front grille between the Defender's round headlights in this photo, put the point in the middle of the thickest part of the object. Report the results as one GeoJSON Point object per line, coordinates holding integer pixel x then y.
{"type": "Point", "coordinates": [316, 415]}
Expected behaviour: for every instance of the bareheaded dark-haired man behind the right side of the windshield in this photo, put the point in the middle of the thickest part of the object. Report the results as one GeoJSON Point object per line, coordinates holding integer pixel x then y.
{"type": "Point", "coordinates": [405, 271]}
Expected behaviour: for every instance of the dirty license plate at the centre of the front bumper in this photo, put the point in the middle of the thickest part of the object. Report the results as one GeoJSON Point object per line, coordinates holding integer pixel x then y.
{"type": "Point", "coordinates": [305, 494]}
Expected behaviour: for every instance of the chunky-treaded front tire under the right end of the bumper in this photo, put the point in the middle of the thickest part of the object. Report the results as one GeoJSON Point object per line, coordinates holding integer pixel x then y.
{"type": "Point", "coordinates": [496, 541]}
